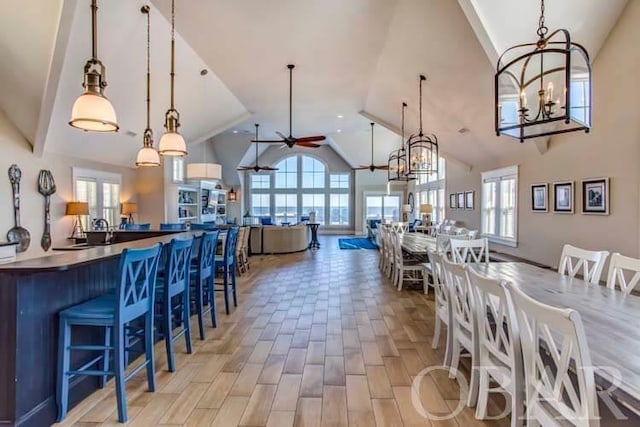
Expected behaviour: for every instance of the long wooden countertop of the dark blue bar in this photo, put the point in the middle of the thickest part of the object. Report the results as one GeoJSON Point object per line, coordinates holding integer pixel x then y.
{"type": "Point", "coordinates": [61, 261]}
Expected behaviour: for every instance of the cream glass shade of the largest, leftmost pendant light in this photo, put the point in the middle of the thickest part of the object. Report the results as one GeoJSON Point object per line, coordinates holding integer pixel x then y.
{"type": "Point", "coordinates": [92, 112]}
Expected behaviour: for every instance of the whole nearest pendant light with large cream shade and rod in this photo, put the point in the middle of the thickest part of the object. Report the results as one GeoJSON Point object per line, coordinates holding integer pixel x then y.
{"type": "Point", "coordinates": [92, 111]}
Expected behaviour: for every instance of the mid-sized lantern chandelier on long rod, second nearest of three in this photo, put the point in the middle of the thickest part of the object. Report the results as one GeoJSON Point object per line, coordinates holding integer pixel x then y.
{"type": "Point", "coordinates": [422, 150]}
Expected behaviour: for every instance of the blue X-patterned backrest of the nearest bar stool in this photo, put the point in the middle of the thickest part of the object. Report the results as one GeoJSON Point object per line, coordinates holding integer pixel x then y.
{"type": "Point", "coordinates": [135, 290]}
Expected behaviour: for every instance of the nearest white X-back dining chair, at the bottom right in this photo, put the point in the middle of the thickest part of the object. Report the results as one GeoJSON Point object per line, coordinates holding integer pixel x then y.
{"type": "Point", "coordinates": [560, 386]}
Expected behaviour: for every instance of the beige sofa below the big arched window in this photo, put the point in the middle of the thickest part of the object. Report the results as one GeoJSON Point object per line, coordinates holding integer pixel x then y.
{"type": "Point", "coordinates": [279, 240]}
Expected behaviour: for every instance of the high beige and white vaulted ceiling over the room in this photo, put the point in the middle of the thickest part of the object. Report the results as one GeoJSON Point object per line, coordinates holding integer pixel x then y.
{"type": "Point", "coordinates": [358, 59]}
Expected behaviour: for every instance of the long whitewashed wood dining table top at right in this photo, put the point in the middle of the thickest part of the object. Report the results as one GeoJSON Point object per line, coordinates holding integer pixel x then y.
{"type": "Point", "coordinates": [611, 321]}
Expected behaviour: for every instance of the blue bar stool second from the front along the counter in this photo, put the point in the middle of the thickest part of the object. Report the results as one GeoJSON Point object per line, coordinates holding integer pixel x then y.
{"type": "Point", "coordinates": [172, 296]}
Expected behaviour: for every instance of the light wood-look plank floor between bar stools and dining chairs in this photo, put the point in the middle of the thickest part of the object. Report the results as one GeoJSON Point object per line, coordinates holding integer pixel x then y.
{"type": "Point", "coordinates": [318, 339]}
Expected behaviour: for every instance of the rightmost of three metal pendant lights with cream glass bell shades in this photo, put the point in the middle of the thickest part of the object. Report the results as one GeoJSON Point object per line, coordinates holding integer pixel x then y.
{"type": "Point", "coordinates": [172, 143]}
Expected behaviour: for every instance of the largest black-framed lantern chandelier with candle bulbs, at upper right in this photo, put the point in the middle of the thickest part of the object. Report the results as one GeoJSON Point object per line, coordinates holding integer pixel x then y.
{"type": "Point", "coordinates": [543, 88]}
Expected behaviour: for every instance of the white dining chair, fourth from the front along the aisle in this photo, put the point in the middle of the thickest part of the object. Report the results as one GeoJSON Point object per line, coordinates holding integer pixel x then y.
{"type": "Point", "coordinates": [442, 305]}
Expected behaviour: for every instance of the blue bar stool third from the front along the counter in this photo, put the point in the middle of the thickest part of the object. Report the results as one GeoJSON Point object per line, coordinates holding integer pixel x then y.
{"type": "Point", "coordinates": [203, 279]}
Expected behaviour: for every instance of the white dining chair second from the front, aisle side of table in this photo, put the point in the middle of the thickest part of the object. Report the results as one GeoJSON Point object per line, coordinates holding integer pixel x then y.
{"type": "Point", "coordinates": [500, 354]}
